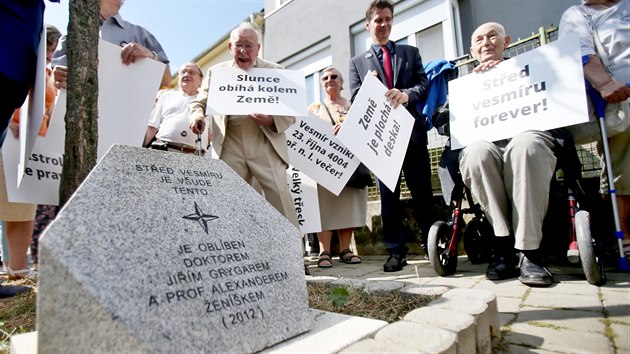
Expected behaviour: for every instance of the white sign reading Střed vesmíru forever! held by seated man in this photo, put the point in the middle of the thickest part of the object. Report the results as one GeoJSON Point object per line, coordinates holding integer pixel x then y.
{"type": "Point", "coordinates": [542, 89]}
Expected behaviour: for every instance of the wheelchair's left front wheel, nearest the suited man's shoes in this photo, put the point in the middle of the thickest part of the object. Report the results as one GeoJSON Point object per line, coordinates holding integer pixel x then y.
{"type": "Point", "coordinates": [440, 235]}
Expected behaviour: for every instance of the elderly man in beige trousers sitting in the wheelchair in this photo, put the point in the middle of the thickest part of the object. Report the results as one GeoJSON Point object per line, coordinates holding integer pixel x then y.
{"type": "Point", "coordinates": [511, 180]}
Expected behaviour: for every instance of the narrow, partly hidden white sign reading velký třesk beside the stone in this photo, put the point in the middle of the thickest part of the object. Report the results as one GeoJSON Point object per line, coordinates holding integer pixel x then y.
{"type": "Point", "coordinates": [304, 194]}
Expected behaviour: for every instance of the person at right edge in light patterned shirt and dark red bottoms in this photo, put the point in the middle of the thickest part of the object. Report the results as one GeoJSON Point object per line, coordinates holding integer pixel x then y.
{"type": "Point", "coordinates": [606, 21]}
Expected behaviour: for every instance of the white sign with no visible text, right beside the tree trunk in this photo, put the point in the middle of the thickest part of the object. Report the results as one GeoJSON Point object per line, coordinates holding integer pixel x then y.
{"type": "Point", "coordinates": [126, 95]}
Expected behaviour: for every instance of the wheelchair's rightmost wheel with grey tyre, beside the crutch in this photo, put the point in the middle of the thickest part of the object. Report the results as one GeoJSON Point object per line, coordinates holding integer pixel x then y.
{"type": "Point", "coordinates": [590, 265]}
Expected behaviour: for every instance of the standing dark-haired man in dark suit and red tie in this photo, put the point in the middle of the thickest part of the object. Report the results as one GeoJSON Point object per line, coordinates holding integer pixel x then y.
{"type": "Point", "coordinates": [400, 68]}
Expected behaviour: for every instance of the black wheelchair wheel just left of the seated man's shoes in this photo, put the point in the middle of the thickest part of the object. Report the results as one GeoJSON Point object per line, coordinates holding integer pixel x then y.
{"type": "Point", "coordinates": [478, 241]}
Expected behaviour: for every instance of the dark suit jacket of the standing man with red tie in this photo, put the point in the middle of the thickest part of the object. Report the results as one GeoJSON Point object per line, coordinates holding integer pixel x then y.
{"type": "Point", "coordinates": [409, 77]}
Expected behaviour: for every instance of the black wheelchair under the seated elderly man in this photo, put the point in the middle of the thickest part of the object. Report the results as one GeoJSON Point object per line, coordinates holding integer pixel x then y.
{"type": "Point", "coordinates": [444, 236]}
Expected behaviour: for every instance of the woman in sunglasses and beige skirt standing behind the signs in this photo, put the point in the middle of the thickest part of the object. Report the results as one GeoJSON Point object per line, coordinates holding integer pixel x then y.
{"type": "Point", "coordinates": [348, 210]}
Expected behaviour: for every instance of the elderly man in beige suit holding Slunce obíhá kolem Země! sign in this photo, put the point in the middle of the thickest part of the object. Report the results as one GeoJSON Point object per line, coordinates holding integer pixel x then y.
{"type": "Point", "coordinates": [254, 145]}
